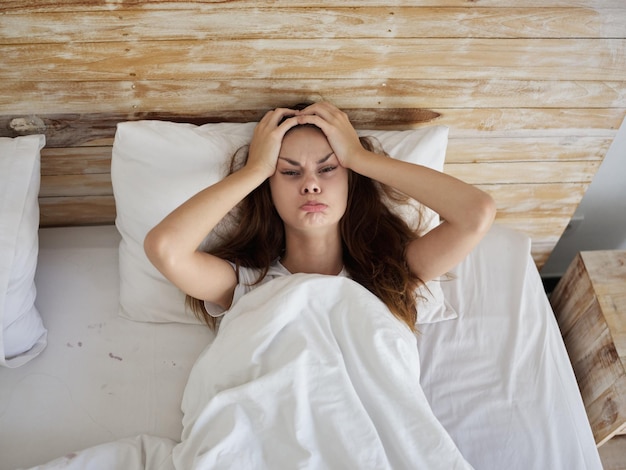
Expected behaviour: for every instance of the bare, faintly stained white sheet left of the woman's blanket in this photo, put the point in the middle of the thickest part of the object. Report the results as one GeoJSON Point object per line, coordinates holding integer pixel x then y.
{"type": "Point", "coordinates": [102, 377]}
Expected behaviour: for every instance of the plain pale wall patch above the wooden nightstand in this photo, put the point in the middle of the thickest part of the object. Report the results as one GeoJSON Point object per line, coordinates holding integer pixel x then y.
{"type": "Point", "coordinates": [602, 209]}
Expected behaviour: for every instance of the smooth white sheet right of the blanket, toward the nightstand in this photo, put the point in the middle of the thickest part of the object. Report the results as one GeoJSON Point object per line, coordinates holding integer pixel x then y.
{"type": "Point", "coordinates": [498, 378]}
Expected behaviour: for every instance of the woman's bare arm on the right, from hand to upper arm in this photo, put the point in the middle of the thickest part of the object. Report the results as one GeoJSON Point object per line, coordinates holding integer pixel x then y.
{"type": "Point", "coordinates": [467, 212]}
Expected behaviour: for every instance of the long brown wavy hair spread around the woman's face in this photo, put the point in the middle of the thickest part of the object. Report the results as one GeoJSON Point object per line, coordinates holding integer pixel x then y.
{"type": "Point", "coordinates": [374, 240]}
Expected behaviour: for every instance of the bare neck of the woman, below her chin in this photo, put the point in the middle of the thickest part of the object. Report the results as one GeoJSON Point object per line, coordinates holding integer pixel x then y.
{"type": "Point", "coordinates": [319, 254]}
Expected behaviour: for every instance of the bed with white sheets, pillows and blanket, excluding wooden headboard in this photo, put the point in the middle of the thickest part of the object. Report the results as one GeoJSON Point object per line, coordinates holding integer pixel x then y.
{"type": "Point", "coordinates": [122, 376]}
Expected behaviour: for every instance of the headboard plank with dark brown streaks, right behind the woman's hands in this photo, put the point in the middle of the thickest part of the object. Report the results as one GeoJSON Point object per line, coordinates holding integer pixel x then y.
{"type": "Point", "coordinates": [514, 134]}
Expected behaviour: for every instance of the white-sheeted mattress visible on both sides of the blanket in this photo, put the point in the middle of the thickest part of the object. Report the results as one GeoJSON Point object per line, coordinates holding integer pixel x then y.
{"type": "Point", "coordinates": [497, 377]}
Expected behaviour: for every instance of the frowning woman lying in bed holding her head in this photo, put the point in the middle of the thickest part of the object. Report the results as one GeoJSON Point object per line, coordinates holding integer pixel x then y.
{"type": "Point", "coordinates": [310, 205]}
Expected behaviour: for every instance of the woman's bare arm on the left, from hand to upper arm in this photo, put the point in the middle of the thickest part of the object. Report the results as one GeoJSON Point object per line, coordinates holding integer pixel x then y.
{"type": "Point", "coordinates": [172, 245]}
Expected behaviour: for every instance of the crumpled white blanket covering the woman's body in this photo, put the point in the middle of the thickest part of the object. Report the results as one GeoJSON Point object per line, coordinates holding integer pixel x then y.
{"type": "Point", "coordinates": [307, 371]}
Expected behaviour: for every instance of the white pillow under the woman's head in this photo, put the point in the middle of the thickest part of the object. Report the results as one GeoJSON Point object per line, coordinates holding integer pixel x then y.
{"type": "Point", "coordinates": [157, 165]}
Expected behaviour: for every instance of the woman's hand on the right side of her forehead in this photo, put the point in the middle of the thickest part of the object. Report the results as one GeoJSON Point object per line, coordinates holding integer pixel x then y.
{"type": "Point", "coordinates": [337, 127]}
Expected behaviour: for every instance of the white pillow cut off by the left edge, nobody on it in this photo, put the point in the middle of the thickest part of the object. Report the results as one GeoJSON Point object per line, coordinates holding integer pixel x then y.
{"type": "Point", "coordinates": [23, 335]}
